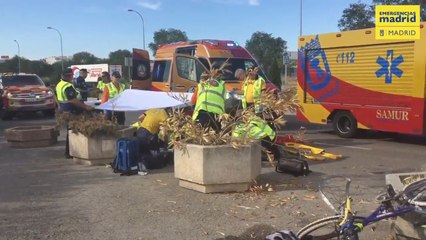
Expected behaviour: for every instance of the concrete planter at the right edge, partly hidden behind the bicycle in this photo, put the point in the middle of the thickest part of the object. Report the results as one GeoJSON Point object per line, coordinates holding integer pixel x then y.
{"type": "Point", "coordinates": [411, 225]}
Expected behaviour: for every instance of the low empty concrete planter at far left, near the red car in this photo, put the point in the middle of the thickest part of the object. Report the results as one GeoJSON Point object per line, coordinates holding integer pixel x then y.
{"type": "Point", "coordinates": [31, 136]}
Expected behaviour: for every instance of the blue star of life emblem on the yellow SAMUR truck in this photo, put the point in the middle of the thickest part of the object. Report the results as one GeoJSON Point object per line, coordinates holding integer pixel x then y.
{"type": "Point", "coordinates": [389, 66]}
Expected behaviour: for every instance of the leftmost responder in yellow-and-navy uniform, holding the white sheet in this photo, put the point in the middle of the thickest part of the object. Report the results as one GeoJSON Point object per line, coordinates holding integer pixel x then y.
{"type": "Point", "coordinates": [69, 100]}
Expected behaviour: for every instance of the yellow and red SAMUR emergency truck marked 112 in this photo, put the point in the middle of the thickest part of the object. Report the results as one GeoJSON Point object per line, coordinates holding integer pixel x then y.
{"type": "Point", "coordinates": [353, 81]}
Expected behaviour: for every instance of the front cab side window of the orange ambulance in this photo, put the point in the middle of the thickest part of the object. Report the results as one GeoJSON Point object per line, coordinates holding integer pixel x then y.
{"type": "Point", "coordinates": [189, 68]}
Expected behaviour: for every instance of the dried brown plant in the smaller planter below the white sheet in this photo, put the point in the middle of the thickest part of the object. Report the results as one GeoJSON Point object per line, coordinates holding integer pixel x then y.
{"type": "Point", "coordinates": [89, 124]}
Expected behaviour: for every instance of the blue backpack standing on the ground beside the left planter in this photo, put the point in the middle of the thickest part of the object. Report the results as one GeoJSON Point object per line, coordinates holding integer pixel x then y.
{"type": "Point", "coordinates": [127, 157]}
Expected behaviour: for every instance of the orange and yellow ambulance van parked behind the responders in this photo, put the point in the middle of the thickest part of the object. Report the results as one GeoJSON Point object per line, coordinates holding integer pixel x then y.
{"type": "Point", "coordinates": [178, 66]}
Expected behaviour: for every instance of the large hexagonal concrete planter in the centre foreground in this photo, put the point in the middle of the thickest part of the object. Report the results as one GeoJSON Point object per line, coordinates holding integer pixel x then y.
{"type": "Point", "coordinates": [220, 168]}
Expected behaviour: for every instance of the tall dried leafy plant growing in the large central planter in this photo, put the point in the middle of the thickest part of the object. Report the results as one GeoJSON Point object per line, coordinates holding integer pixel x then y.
{"type": "Point", "coordinates": [182, 130]}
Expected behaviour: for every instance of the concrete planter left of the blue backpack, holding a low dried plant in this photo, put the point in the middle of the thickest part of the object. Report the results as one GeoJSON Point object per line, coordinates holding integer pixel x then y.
{"type": "Point", "coordinates": [99, 150]}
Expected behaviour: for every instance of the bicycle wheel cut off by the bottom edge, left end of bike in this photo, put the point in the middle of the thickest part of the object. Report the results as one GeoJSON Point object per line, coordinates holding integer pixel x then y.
{"type": "Point", "coordinates": [324, 228]}
